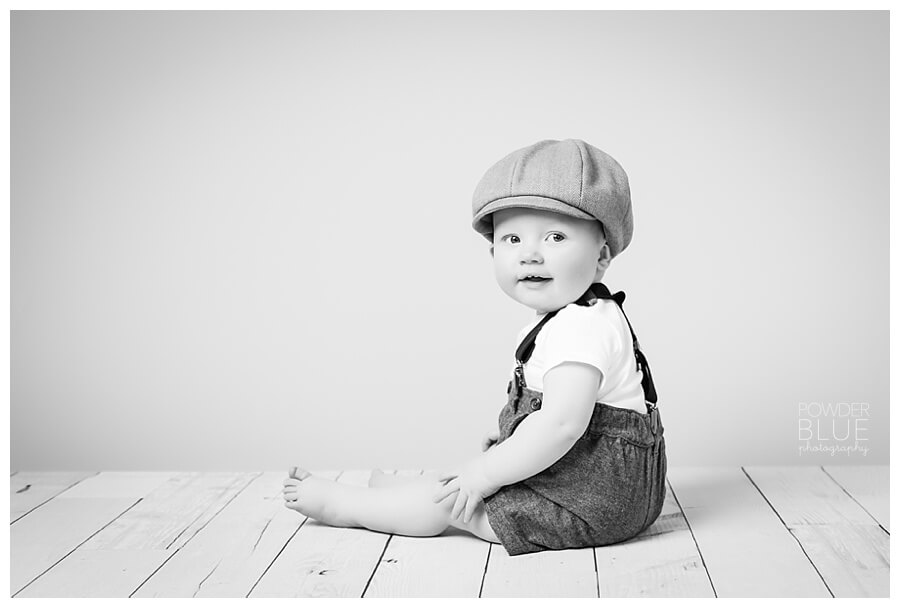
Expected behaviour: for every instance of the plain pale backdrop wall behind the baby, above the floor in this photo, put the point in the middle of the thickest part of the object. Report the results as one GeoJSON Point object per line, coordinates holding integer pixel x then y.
{"type": "Point", "coordinates": [241, 241]}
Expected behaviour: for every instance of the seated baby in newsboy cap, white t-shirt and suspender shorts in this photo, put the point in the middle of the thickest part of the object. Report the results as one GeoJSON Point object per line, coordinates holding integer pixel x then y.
{"type": "Point", "coordinates": [579, 457]}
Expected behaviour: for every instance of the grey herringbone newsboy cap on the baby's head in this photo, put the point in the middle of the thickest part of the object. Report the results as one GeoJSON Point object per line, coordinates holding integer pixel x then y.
{"type": "Point", "coordinates": [568, 176]}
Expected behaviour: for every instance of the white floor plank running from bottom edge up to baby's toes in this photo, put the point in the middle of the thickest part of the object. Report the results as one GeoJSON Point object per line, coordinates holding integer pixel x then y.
{"type": "Point", "coordinates": [228, 556]}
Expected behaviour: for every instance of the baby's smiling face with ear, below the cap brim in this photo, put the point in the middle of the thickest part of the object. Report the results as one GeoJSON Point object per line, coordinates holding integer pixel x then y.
{"type": "Point", "coordinates": [570, 253]}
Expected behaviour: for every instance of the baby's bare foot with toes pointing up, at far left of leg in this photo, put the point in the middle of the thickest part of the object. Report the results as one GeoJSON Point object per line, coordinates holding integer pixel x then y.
{"type": "Point", "coordinates": [317, 497]}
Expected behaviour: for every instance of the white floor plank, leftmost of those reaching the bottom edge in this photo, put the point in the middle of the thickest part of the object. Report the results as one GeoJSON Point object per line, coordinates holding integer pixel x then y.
{"type": "Point", "coordinates": [120, 557]}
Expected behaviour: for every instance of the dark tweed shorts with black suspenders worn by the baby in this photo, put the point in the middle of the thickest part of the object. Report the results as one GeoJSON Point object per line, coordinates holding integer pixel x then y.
{"type": "Point", "coordinates": [607, 488]}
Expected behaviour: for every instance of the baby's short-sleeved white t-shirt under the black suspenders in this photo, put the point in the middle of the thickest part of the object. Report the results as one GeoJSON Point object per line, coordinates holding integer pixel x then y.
{"type": "Point", "coordinates": [597, 335]}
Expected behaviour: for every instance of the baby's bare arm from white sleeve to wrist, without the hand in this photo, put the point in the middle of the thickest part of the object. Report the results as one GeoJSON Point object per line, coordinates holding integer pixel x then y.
{"type": "Point", "coordinates": [544, 436]}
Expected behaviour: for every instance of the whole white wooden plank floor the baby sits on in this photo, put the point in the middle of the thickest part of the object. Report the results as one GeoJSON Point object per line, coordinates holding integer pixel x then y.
{"type": "Point", "coordinates": [726, 532]}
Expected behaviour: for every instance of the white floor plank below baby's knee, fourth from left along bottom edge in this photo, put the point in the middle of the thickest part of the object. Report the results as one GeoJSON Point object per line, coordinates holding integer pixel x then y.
{"type": "Point", "coordinates": [449, 565]}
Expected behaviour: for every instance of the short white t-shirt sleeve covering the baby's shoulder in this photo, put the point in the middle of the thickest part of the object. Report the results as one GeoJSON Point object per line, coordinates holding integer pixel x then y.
{"type": "Point", "coordinates": [579, 333]}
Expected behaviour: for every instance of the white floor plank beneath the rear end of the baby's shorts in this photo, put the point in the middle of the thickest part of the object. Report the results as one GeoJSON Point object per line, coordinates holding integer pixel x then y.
{"type": "Point", "coordinates": [662, 561]}
